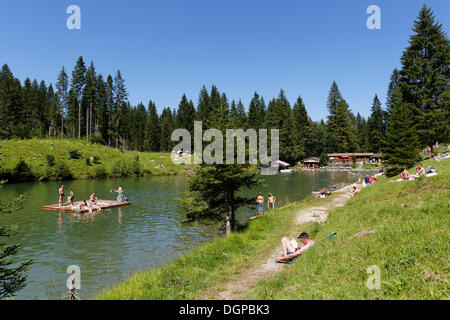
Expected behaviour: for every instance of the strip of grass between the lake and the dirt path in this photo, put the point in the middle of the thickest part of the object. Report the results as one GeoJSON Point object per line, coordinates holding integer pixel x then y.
{"type": "Point", "coordinates": [209, 265]}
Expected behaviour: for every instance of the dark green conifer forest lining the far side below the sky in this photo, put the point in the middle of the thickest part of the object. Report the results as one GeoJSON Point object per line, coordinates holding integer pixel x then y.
{"type": "Point", "coordinates": [92, 107]}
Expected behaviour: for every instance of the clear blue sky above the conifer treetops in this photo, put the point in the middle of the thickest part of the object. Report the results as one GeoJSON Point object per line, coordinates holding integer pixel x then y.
{"type": "Point", "coordinates": [167, 48]}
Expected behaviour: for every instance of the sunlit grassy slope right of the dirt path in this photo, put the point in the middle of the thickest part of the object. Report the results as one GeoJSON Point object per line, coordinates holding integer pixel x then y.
{"type": "Point", "coordinates": [410, 246]}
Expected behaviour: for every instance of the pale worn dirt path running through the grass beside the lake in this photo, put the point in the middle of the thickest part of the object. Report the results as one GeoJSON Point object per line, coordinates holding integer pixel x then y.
{"type": "Point", "coordinates": [266, 266]}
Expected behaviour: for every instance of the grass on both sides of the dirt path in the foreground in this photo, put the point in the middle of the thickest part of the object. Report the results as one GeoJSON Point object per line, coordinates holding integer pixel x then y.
{"type": "Point", "coordinates": [410, 246]}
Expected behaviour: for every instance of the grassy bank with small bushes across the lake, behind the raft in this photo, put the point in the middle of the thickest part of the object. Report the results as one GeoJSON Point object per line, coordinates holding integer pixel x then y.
{"type": "Point", "coordinates": [102, 161]}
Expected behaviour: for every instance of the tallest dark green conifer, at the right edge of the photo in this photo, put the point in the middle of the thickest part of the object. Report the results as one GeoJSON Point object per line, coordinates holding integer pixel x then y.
{"type": "Point", "coordinates": [424, 78]}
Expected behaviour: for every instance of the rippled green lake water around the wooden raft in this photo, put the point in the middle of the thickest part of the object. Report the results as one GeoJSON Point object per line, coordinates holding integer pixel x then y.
{"type": "Point", "coordinates": [118, 242]}
